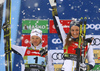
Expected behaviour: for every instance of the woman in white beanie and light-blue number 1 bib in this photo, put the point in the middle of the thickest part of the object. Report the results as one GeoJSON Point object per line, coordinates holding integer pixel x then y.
{"type": "Point", "coordinates": [35, 56]}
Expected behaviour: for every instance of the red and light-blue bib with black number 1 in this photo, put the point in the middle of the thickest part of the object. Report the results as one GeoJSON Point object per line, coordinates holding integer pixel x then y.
{"type": "Point", "coordinates": [33, 57]}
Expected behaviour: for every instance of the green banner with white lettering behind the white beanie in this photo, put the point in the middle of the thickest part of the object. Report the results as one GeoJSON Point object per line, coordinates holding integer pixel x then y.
{"type": "Point", "coordinates": [28, 25]}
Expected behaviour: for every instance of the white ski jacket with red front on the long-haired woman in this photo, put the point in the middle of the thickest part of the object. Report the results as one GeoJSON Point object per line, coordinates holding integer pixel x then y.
{"type": "Point", "coordinates": [62, 36]}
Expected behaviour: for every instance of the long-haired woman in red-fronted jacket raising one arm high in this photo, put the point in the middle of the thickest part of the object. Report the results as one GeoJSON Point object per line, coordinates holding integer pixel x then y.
{"type": "Point", "coordinates": [70, 43]}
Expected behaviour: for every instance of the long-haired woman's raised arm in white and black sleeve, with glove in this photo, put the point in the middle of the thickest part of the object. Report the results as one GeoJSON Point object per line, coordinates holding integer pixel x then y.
{"type": "Point", "coordinates": [57, 24]}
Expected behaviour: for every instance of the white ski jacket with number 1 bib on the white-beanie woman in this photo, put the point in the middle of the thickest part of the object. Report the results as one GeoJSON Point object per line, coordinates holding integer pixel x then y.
{"type": "Point", "coordinates": [32, 57]}
